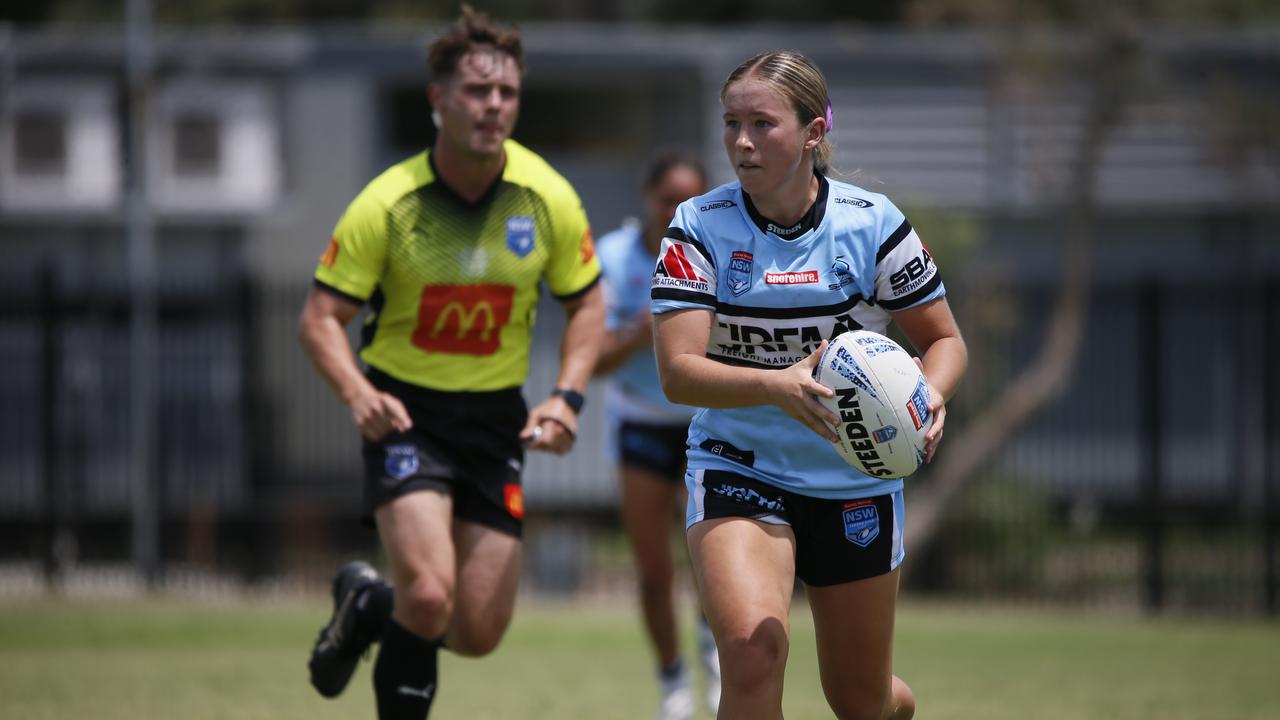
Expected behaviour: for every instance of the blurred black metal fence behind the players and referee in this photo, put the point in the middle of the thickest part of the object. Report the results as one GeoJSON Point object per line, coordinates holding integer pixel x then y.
{"type": "Point", "coordinates": [1150, 482]}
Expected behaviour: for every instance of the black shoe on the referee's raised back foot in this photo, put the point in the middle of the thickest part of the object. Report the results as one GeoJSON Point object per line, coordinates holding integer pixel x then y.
{"type": "Point", "coordinates": [341, 644]}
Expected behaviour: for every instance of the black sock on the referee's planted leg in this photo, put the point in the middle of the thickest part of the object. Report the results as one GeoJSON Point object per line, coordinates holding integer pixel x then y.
{"type": "Point", "coordinates": [405, 675]}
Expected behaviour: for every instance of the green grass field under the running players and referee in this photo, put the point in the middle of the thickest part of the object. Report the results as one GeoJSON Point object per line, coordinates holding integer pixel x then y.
{"type": "Point", "coordinates": [166, 659]}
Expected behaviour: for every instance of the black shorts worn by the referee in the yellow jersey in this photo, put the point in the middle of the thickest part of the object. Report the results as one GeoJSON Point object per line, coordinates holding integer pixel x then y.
{"type": "Point", "coordinates": [463, 444]}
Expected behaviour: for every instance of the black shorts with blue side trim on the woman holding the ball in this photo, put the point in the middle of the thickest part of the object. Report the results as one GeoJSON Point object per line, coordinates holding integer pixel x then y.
{"type": "Point", "coordinates": [838, 541]}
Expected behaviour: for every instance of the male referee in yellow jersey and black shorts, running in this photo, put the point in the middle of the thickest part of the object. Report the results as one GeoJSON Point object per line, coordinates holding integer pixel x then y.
{"type": "Point", "coordinates": [449, 248]}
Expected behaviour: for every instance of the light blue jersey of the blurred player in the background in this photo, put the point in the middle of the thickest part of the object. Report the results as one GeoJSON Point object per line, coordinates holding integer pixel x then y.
{"type": "Point", "coordinates": [636, 393]}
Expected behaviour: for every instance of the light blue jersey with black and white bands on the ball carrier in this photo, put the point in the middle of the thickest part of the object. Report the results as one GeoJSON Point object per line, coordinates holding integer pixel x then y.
{"type": "Point", "coordinates": [776, 295]}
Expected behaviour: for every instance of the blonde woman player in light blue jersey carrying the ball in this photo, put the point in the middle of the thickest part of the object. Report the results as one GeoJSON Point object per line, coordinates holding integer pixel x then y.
{"type": "Point", "coordinates": [755, 277]}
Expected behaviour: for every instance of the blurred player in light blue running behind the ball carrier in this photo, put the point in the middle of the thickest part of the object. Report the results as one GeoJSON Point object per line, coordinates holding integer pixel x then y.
{"type": "Point", "coordinates": [651, 431]}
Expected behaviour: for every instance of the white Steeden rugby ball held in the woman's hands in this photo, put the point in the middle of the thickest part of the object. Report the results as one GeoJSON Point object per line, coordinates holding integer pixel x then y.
{"type": "Point", "coordinates": [883, 402]}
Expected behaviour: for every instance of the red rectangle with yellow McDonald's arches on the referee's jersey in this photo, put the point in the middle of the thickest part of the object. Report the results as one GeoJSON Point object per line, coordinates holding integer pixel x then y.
{"type": "Point", "coordinates": [464, 320]}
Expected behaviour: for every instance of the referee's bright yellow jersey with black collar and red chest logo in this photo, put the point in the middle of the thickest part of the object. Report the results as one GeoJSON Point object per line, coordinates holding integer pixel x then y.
{"type": "Point", "coordinates": [454, 285]}
